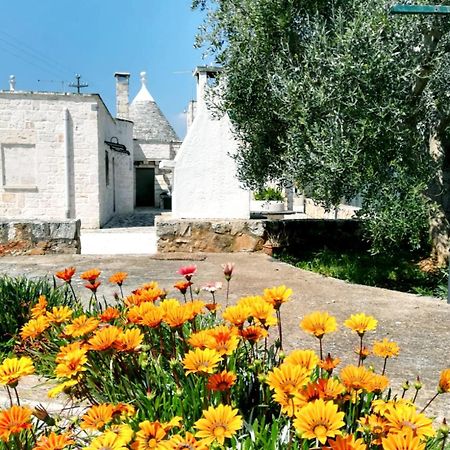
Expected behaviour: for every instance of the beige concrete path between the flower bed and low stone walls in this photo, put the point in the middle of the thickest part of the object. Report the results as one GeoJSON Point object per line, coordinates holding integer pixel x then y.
{"type": "Point", "coordinates": [420, 325]}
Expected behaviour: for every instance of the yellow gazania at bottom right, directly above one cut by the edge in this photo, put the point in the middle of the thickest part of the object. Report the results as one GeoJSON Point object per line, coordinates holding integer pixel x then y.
{"type": "Point", "coordinates": [402, 419]}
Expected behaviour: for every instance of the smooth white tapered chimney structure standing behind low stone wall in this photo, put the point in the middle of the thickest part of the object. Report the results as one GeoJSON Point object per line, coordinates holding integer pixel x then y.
{"type": "Point", "coordinates": [205, 175]}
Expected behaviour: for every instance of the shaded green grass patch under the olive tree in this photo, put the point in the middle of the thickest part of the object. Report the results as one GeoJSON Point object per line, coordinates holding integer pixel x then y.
{"type": "Point", "coordinates": [399, 273]}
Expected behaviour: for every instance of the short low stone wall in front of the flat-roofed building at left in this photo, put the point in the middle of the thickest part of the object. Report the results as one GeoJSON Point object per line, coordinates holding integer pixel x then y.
{"type": "Point", "coordinates": [34, 237]}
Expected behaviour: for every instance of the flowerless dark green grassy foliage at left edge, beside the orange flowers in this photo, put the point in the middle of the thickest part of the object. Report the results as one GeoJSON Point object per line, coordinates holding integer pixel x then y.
{"type": "Point", "coordinates": [17, 295]}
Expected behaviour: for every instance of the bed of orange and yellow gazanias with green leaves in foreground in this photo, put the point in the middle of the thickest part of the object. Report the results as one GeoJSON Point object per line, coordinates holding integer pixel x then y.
{"type": "Point", "coordinates": [164, 371]}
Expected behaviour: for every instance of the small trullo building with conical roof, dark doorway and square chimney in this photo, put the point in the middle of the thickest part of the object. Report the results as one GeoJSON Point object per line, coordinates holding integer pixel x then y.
{"type": "Point", "coordinates": [154, 140]}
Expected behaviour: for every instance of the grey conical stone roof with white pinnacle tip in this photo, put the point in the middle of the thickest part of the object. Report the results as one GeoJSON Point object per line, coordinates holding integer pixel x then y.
{"type": "Point", "coordinates": [150, 123]}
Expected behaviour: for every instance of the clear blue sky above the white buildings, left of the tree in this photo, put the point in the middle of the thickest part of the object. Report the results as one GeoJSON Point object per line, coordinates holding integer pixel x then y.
{"type": "Point", "coordinates": [51, 40]}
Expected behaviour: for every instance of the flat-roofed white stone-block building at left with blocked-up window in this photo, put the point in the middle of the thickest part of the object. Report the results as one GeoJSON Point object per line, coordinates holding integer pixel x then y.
{"type": "Point", "coordinates": [54, 162]}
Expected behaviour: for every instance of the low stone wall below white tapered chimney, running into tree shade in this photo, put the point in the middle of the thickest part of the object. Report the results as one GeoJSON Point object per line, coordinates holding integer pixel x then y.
{"type": "Point", "coordinates": [217, 236]}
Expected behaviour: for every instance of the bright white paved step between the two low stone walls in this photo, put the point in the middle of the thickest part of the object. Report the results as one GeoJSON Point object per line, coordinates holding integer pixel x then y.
{"type": "Point", "coordinates": [119, 241]}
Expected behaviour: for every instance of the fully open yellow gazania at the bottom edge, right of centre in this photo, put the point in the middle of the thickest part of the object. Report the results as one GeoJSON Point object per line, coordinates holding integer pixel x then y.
{"type": "Point", "coordinates": [319, 420]}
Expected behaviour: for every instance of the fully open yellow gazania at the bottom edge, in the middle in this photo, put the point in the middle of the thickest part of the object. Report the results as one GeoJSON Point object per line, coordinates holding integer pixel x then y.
{"type": "Point", "coordinates": [218, 424]}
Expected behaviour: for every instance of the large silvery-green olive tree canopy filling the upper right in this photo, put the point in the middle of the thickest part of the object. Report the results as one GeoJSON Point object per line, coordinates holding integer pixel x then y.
{"type": "Point", "coordinates": [340, 98]}
